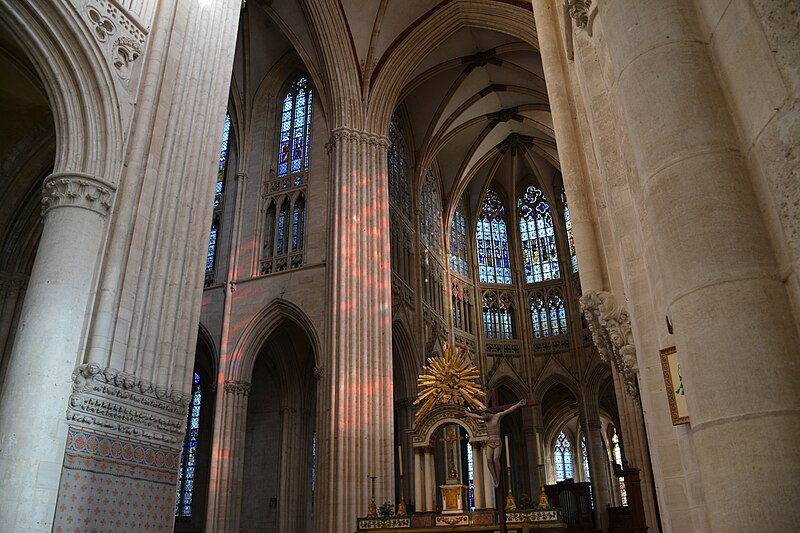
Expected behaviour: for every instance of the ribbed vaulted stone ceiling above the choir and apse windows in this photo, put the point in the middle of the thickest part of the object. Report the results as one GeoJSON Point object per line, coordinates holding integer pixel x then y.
{"type": "Point", "coordinates": [475, 100]}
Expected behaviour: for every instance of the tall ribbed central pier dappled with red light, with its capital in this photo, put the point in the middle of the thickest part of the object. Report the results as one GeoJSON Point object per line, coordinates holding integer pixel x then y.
{"type": "Point", "coordinates": [358, 357]}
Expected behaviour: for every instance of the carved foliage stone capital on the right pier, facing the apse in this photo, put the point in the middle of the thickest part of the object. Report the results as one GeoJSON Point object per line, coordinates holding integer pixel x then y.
{"type": "Point", "coordinates": [610, 325]}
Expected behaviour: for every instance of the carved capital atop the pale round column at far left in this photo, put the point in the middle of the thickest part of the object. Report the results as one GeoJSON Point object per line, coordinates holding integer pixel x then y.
{"type": "Point", "coordinates": [73, 189]}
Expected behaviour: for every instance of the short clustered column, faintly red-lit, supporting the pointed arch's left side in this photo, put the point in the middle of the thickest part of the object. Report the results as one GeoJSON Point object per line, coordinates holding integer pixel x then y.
{"type": "Point", "coordinates": [227, 453]}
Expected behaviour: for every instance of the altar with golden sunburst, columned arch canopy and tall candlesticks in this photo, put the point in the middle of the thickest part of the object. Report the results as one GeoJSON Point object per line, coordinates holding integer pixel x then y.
{"type": "Point", "coordinates": [448, 386]}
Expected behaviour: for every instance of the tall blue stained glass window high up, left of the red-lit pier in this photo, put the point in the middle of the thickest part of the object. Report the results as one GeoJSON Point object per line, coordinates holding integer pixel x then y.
{"type": "Point", "coordinates": [295, 130]}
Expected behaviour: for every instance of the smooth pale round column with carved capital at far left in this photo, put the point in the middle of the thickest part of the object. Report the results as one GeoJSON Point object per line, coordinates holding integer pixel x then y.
{"type": "Point", "coordinates": [48, 346]}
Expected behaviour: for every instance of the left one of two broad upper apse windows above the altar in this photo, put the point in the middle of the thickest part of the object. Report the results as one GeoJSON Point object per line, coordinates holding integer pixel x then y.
{"type": "Point", "coordinates": [492, 241]}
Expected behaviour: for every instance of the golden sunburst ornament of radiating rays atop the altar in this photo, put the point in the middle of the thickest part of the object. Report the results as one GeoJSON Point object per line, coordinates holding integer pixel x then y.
{"type": "Point", "coordinates": [450, 378]}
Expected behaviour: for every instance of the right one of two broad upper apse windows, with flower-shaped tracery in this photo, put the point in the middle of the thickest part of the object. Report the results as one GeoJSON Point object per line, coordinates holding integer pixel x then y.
{"type": "Point", "coordinates": [538, 237]}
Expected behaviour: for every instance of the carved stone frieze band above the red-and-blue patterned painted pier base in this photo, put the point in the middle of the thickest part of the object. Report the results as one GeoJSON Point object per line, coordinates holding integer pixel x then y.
{"type": "Point", "coordinates": [121, 403]}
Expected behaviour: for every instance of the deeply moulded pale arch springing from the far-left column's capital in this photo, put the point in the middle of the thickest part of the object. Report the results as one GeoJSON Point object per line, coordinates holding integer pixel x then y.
{"type": "Point", "coordinates": [78, 82]}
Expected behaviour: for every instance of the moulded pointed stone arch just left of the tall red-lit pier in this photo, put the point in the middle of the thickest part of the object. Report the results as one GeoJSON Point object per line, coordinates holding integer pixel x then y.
{"type": "Point", "coordinates": [240, 365]}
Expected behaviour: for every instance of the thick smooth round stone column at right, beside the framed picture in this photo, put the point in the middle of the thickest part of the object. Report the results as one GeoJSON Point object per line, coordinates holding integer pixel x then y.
{"type": "Point", "coordinates": [733, 325]}
